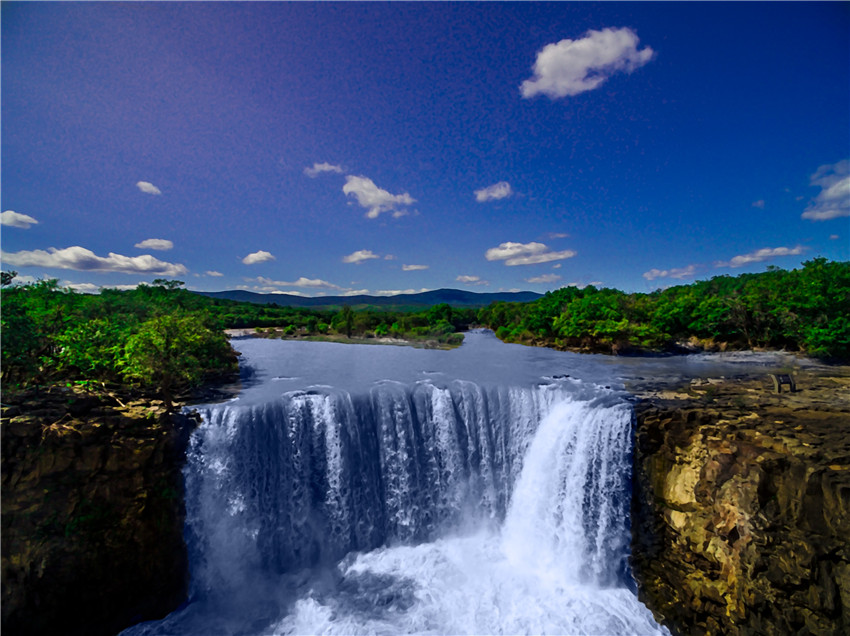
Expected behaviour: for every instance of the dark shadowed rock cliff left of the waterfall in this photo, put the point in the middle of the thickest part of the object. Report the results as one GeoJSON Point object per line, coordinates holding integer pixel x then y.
{"type": "Point", "coordinates": [92, 514]}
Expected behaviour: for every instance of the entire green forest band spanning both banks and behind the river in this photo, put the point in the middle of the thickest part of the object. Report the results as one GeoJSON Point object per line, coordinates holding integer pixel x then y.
{"type": "Point", "coordinates": [163, 338]}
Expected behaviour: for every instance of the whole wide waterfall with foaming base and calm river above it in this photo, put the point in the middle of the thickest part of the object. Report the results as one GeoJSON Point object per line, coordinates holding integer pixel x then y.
{"type": "Point", "coordinates": [356, 489]}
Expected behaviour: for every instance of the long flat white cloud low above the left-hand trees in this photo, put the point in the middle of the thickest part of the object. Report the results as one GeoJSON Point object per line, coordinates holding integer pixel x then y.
{"type": "Point", "coordinates": [79, 258]}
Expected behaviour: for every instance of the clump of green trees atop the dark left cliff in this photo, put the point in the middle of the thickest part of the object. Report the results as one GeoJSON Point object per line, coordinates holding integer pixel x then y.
{"type": "Point", "coordinates": [157, 337]}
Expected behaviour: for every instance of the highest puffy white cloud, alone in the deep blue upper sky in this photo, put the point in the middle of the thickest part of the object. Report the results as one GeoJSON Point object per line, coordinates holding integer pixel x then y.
{"type": "Point", "coordinates": [570, 67]}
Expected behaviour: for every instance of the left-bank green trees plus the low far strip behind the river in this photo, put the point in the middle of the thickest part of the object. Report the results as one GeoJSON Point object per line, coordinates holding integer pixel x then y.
{"type": "Point", "coordinates": [163, 339]}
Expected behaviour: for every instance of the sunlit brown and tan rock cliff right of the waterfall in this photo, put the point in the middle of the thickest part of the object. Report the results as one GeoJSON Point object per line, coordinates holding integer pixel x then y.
{"type": "Point", "coordinates": [741, 510]}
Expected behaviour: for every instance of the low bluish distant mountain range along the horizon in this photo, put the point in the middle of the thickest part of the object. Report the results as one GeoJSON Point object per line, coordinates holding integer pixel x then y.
{"type": "Point", "coordinates": [454, 297]}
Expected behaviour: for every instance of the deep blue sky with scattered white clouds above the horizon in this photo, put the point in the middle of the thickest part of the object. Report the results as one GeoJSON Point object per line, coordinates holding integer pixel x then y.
{"type": "Point", "coordinates": [333, 148]}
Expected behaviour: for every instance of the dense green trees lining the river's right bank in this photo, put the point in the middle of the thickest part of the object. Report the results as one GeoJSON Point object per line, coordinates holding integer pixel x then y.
{"type": "Point", "coordinates": [807, 310]}
